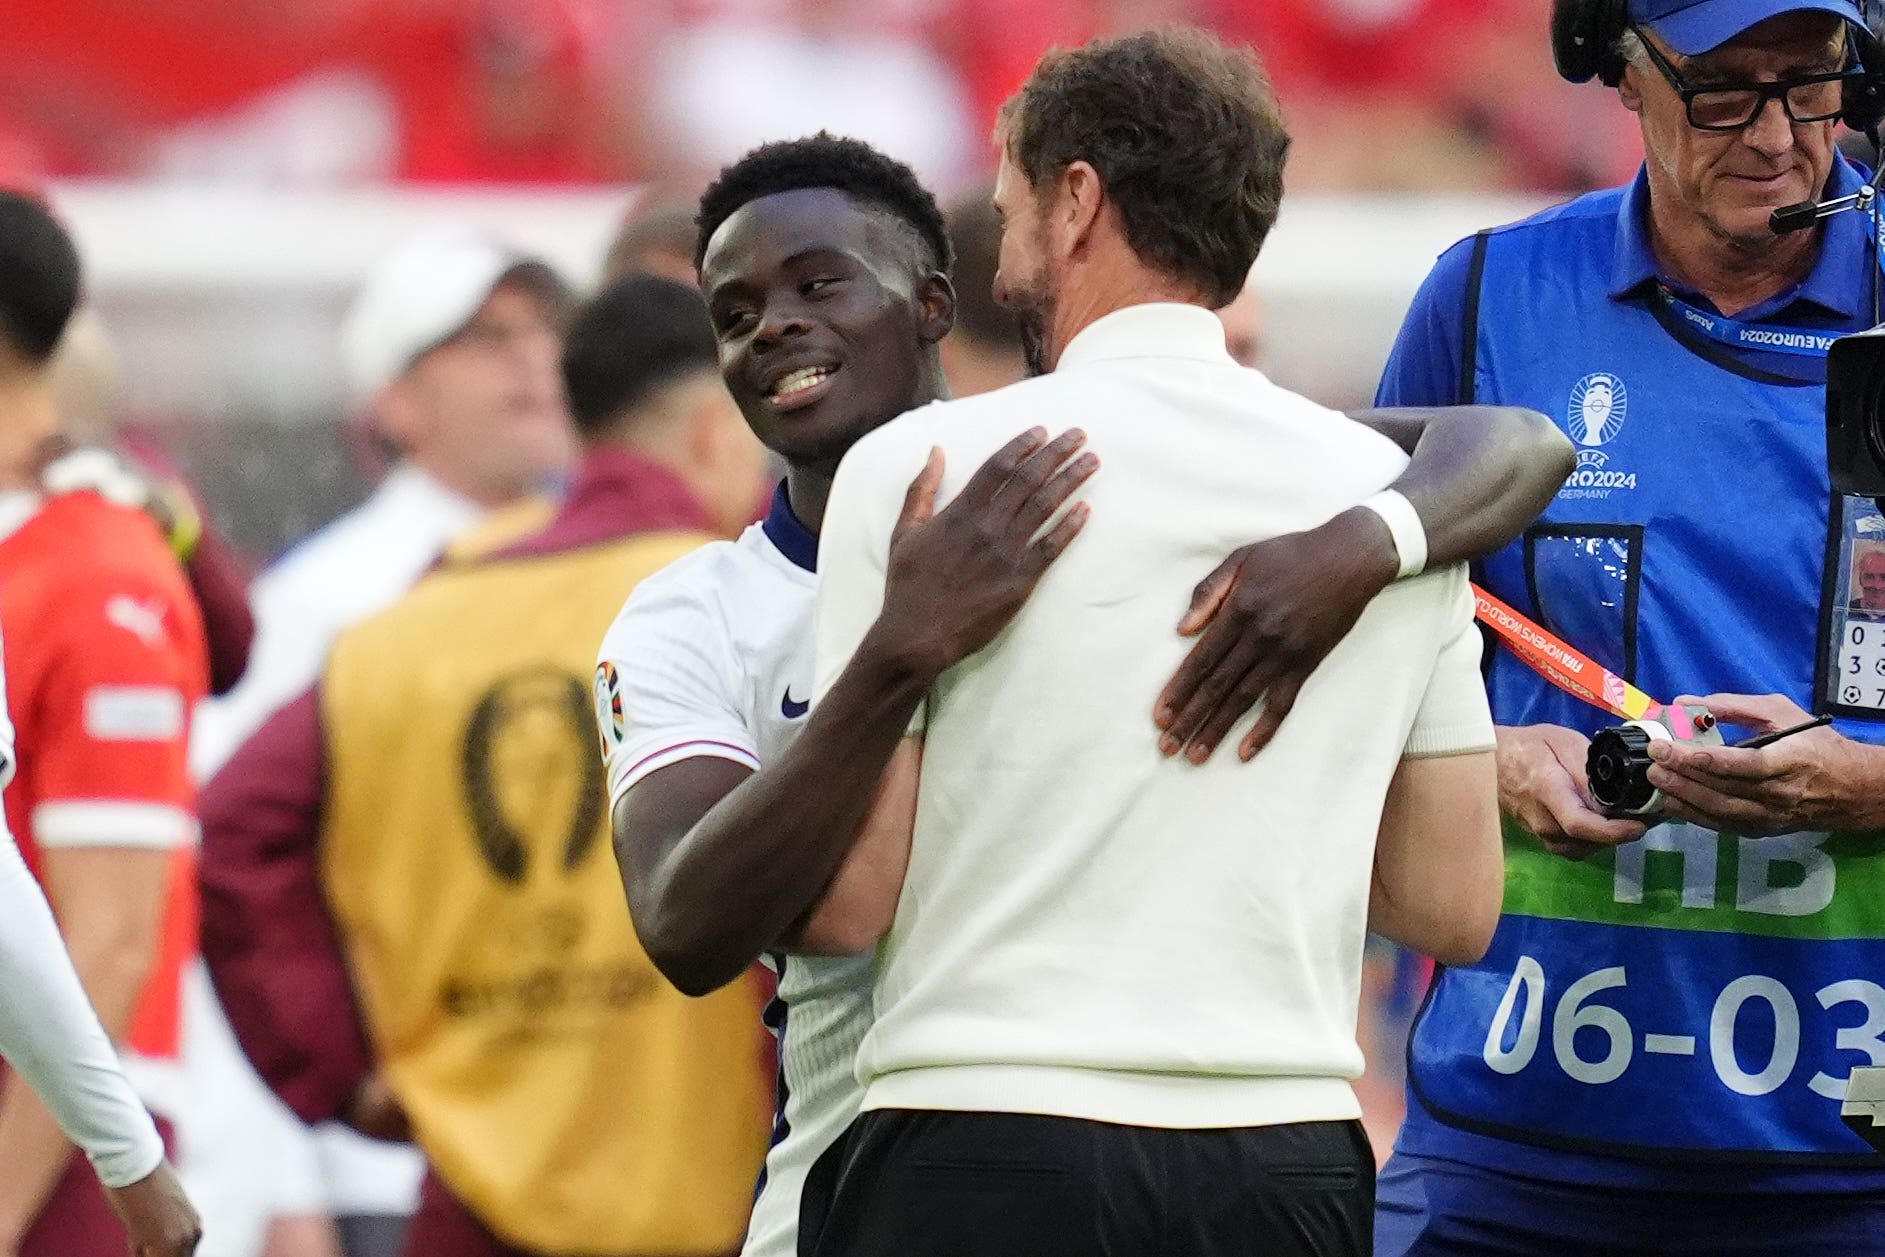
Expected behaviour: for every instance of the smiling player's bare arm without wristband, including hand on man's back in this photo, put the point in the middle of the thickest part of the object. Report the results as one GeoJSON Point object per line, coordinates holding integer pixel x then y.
{"type": "Point", "coordinates": [723, 862]}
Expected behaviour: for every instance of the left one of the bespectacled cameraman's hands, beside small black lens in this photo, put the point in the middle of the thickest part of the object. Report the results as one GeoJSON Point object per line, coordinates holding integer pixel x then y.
{"type": "Point", "coordinates": [1543, 787]}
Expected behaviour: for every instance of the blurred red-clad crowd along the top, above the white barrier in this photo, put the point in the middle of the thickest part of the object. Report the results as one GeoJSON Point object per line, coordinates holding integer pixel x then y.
{"type": "Point", "coordinates": [1383, 95]}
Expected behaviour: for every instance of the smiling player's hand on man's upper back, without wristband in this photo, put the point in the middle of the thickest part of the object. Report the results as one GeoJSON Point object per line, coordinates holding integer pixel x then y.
{"type": "Point", "coordinates": [959, 576]}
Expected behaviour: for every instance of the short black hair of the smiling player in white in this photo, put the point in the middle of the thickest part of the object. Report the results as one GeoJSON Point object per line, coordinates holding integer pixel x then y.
{"type": "Point", "coordinates": [827, 161]}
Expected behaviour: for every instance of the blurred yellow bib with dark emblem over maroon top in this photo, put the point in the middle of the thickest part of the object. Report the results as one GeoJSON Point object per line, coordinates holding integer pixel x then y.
{"type": "Point", "coordinates": [559, 1085]}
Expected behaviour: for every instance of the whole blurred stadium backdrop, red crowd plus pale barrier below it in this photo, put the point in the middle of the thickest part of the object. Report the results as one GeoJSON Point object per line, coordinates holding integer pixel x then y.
{"type": "Point", "coordinates": [233, 167]}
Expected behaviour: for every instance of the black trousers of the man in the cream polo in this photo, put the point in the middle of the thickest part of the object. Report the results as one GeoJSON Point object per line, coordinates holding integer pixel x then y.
{"type": "Point", "coordinates": [943, 1184]}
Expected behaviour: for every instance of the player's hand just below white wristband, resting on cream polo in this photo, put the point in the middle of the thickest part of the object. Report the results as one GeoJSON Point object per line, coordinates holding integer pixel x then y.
{"type": "Point", "coordinates": [1270, 615]}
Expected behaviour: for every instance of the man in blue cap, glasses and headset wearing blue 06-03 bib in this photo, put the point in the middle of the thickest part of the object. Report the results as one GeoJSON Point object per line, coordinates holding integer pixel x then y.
{"type": "Point", "coordinates": [1652, 1054]}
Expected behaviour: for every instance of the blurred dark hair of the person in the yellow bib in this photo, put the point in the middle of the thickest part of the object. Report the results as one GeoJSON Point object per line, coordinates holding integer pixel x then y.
{"type": "Point", "coordinates": [629, 342]}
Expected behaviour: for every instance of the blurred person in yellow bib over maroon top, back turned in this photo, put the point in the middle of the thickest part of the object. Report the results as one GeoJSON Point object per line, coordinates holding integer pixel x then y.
{"type": "Point", "coordinates": [412, 911]}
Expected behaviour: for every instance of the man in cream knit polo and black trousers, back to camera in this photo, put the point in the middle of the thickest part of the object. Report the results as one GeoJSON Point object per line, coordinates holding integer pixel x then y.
{"type": "Point", "coordinates": [1117, 1002]}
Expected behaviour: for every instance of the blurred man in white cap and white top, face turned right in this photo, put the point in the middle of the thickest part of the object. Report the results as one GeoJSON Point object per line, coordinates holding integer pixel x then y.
{"type": "Point", "coordinates": [451, 350]}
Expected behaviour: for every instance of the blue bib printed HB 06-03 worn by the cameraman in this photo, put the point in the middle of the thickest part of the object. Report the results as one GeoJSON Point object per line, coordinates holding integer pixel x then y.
{"type": "Point", "coordinates": [1694, 998]}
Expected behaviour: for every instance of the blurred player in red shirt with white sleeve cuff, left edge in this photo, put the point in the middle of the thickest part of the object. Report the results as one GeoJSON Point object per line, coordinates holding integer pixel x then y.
{"type": "Point", "coordinates": [107, 662]}
